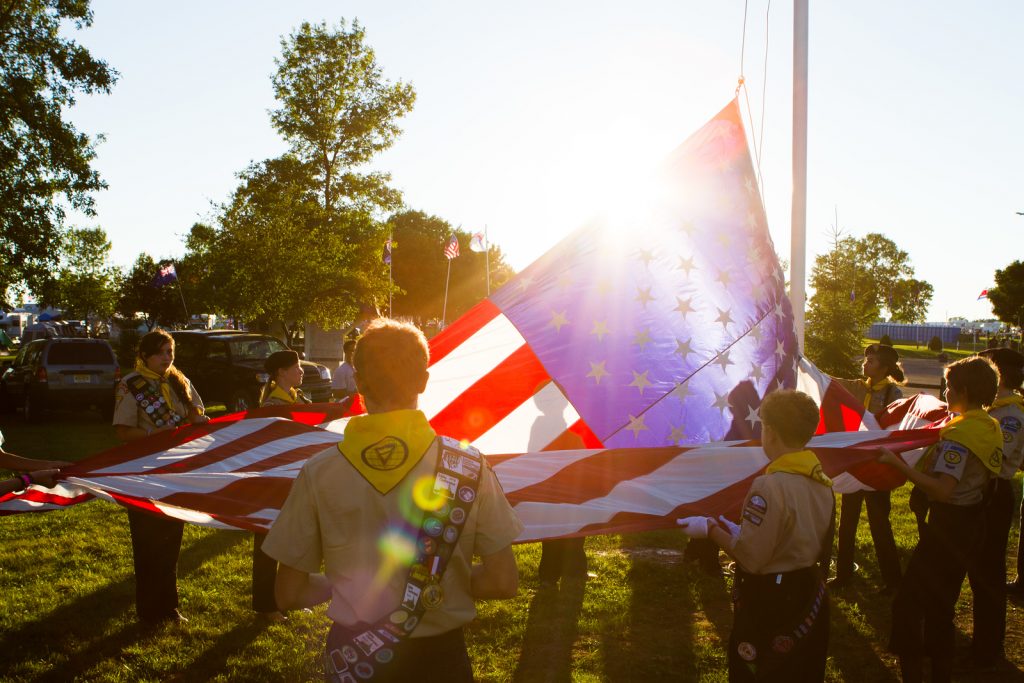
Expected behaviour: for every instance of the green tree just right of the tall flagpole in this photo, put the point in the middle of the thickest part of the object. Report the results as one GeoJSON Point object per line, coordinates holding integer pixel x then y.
{"type": "Point", "coordinates": [854, 283]}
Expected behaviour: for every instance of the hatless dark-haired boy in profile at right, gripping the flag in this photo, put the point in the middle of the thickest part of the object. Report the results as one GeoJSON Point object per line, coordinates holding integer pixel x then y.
{"type": "Point", "coordinates": [955, 476]}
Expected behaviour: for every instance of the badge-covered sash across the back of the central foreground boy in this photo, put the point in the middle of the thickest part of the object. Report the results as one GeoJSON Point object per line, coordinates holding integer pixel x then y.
{"type": "Point", "coordinates": [356, 654]}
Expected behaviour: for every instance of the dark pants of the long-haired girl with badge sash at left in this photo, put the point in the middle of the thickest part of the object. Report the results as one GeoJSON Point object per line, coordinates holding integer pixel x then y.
{"type": "Point", "coordinates": [156, 542]}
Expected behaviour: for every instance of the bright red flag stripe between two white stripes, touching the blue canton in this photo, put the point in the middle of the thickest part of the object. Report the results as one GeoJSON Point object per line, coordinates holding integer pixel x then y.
{"type": "Point", "coordinates": [496, 395]}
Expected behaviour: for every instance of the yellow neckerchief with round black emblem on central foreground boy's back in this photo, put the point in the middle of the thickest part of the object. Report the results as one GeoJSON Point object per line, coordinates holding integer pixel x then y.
{"type": "Point", "coordinates": [385, 447]}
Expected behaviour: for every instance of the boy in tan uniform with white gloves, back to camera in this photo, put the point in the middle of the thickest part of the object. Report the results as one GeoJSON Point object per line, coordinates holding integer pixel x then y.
{"type": "Point", "coordinates": [781, 605]}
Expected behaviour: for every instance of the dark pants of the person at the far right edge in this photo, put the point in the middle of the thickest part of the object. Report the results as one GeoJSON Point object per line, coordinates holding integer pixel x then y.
{"type": "Point", "coordinates": [989, 574]}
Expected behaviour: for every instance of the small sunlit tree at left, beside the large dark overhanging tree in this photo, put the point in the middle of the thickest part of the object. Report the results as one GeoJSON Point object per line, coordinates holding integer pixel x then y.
{"type": "Point", "coordinates": [87, 283]}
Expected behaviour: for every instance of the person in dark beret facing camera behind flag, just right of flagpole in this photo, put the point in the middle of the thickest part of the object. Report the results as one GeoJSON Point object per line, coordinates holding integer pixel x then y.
{"type": "Point", "coordinates": [880, 387]}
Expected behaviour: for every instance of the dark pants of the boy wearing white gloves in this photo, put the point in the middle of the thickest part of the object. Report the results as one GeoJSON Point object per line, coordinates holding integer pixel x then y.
{"type": "Point", "coordinates": [769, 644]}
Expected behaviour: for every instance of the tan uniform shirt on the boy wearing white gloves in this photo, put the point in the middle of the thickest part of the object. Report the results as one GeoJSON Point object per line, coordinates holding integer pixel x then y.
{"type": "Point", "coordinates": [786, 518]}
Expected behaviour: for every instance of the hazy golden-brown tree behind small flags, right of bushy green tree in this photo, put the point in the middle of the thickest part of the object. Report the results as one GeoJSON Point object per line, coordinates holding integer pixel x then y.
{"type": "Point", "coordinates": [419, 268]}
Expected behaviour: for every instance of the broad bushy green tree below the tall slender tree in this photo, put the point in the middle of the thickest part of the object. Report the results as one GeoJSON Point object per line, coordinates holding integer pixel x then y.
{"type": "Point", "coordinates": [276, 259]}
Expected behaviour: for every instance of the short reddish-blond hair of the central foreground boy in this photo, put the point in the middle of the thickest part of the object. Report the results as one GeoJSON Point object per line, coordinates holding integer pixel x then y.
{"type": "Point", "coordinates": [391, 360]}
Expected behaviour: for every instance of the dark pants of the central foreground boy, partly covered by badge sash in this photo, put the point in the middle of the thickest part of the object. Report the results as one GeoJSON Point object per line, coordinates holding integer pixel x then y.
{"type": "Point", "coordinates": [441, 659]}
